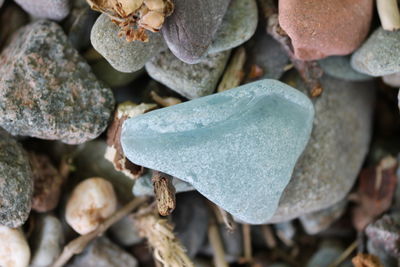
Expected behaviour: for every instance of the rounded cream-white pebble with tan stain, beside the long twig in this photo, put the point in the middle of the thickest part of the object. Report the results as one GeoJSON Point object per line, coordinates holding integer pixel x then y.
{"type": "Point", "coordinates": [91, 202]}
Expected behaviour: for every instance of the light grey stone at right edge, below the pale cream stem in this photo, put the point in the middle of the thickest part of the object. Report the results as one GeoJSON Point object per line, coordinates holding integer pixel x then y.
{"type": "Point", "coordinates": [378, 56]}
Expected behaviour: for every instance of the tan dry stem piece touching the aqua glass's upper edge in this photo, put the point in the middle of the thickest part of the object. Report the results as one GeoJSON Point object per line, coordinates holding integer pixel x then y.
{"type": "Point", "coordinates": [233, 75]}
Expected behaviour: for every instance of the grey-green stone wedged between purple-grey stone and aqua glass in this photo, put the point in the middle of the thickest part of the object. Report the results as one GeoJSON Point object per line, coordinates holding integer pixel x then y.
{"type": "Point", "coordinates": [191, 81]}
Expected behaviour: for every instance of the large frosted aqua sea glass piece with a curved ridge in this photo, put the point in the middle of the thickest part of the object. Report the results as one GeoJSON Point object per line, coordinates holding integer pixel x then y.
{"type": "Point", "coordinates": [262, 127]}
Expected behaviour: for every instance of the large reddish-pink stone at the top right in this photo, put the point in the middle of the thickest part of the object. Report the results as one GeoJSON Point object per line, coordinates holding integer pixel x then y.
{"type": "Point", "coordinates": [321, 28]}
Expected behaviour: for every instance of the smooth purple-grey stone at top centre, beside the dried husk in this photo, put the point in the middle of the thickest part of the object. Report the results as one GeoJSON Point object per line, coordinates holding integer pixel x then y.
{"type": "Point", "coordinates": [189, 39]}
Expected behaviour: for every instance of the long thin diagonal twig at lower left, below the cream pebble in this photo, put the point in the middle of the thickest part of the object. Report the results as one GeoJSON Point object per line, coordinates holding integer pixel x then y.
{"type": "Point", "coordinates": [77, 245]}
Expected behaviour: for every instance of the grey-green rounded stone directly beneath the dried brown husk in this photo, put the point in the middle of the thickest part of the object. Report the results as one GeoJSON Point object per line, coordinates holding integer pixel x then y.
{"type": "Point", "coordinates": [123, 56]}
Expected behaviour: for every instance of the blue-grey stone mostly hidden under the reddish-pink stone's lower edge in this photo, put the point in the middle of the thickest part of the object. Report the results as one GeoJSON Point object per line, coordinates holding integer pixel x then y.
{"type": "Point", "coordinates": [339, 67]}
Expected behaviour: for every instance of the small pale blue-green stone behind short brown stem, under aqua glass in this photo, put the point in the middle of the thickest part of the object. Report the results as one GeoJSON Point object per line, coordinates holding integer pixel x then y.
{"type": "Point", "coordinates": [144, 186]}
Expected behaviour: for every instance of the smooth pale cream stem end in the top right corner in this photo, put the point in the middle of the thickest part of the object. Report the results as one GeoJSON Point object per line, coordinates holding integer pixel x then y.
{"type": "Point", "coordinates": [389, 14]}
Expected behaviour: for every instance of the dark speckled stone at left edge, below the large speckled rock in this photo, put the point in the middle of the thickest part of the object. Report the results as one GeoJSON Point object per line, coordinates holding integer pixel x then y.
{"type": "Point", "coordinates": [16, 182]}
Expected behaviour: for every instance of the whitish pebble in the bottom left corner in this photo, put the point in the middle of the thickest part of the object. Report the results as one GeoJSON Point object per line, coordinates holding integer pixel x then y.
{"type": "Point", "coordinates": [14, 249]}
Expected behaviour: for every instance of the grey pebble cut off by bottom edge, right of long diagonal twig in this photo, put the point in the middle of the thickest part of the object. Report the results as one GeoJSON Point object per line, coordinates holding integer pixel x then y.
{"type": "Point", "coordinates": [103, 253]}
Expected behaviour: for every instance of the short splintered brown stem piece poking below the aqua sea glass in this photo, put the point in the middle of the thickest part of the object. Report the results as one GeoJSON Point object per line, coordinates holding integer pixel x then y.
{"type": "Point", "coordinates": [164, 192]}
